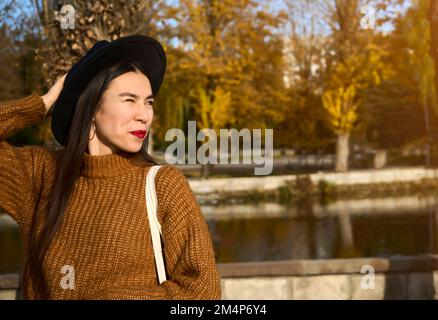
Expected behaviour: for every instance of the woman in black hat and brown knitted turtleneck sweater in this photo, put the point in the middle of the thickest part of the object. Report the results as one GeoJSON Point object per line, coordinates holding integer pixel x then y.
{"type": "Point", "coordinates": [81, 210]}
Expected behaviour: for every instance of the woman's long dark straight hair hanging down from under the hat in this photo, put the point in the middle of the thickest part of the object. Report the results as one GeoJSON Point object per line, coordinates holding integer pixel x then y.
{"type": "Point", "coordinates": [69, 165]}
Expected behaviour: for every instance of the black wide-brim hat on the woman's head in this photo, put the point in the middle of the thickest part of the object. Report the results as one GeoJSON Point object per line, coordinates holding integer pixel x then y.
{"type": "Point", "coordinates": [144, 50]}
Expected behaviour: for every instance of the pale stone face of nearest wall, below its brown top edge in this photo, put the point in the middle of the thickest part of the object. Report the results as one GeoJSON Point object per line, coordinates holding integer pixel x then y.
{"type": "Point", "coordinates": [406, 286]}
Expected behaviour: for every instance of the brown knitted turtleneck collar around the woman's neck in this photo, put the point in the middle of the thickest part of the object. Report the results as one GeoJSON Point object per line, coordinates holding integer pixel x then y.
{"type": "Point", "coordinates": [108, 165]}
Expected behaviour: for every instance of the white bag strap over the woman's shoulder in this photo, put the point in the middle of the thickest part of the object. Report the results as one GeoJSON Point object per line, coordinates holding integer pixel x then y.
{"type": "Point", "coordinates": [155, 226]}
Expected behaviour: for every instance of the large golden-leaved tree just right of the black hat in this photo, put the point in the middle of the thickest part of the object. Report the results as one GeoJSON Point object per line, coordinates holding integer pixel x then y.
{"type": "Point", "coordinates": [230, 45]}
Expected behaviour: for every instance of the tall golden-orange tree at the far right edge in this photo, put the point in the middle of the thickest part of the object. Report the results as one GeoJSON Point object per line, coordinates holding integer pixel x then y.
{"type": "Point", "coordinates": [405, 98]}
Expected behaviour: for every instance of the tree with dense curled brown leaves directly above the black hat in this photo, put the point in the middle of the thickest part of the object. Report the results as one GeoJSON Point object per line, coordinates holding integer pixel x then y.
{"type": "Point", "coordinates": [93, 21]}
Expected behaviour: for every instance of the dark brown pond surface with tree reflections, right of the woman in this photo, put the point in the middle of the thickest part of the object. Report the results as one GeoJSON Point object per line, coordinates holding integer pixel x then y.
{"type": "Point", "coordinates": [267, 239]}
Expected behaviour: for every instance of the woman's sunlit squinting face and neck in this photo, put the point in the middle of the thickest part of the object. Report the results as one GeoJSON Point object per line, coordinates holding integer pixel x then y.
{"type": "Point", "coordinates": [126, 106]}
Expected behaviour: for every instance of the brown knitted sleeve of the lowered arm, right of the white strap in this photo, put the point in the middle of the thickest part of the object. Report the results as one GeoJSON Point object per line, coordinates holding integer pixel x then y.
{"type": "Point", "coordinates": [188, 251]}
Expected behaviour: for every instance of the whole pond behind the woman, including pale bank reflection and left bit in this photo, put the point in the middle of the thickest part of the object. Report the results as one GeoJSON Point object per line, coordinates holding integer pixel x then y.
{"type": "Point", "coordinates": [269, 231]}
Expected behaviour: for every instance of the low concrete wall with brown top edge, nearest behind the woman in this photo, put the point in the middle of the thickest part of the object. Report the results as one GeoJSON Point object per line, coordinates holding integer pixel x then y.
{"type": "Point", "coordinates": [394, 278]}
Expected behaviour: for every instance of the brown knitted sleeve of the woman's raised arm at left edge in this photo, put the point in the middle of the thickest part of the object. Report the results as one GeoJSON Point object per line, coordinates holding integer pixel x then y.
{"type": "Point", "coordinates": [17, 163]}
